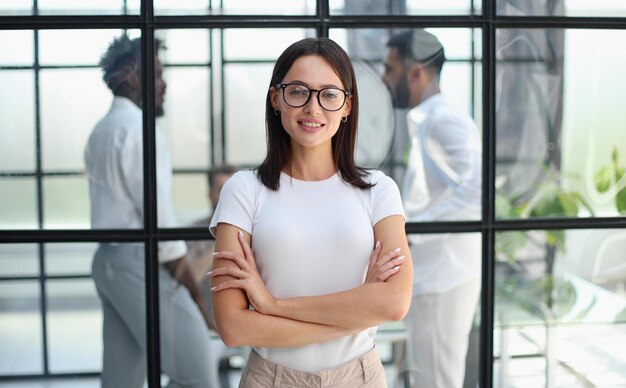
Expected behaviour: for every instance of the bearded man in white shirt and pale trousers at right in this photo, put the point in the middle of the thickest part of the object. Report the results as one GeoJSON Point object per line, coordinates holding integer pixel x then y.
{"type": "Point", "coordinates": [442, 182]}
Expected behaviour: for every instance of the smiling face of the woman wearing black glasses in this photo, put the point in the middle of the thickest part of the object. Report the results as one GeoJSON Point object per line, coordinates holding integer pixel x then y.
{"type": "Point", "coordinates": [310, 126]}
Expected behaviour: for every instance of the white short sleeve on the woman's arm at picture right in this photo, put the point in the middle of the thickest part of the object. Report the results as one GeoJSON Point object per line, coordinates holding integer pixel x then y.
{"type": "Point", "coordinates": [386, 199]}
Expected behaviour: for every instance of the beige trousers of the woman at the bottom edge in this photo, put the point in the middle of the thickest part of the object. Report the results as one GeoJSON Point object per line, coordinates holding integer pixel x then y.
{"type": "Point", "coordinates": [364, 372]}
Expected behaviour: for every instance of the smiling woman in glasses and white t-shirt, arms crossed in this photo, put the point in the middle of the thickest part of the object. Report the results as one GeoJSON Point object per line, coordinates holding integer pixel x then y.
{"type": "Point", "coordinates": [295, 237]}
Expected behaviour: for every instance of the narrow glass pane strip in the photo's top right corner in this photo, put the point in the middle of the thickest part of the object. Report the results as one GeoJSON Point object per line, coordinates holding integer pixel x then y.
{"type": "Point", "coordinates": [585, 8]}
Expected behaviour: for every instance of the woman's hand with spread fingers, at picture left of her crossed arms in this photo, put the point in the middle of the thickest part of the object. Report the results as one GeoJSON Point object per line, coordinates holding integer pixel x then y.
{"type": "Point", "coordinates": [246, 277]}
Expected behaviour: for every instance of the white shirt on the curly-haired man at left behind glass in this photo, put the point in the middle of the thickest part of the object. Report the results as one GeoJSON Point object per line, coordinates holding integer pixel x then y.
{"type": "Point", "coordinates": [114, 161]}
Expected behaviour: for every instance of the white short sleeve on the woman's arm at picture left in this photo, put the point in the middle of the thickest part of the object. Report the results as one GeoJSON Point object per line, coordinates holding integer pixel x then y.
{"type": "Point", "coordinates": [237, 202]}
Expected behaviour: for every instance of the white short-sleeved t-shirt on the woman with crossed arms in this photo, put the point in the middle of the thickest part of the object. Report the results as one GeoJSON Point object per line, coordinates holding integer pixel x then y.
{"type": "Point", "coordinates": [310, 238]}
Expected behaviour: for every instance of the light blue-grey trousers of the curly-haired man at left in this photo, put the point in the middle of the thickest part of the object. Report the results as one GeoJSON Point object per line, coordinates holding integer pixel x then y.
{"type": "Point", "coordinates": [118, 272]}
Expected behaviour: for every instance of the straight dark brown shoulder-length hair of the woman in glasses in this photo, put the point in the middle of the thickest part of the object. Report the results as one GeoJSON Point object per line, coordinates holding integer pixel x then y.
{"type": "Point", "coordinates": [344, 141]}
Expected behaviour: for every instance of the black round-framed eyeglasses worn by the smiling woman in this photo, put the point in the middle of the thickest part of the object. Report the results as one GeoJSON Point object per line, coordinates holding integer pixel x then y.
{"type": "Point", "coordinates": [330, 99]}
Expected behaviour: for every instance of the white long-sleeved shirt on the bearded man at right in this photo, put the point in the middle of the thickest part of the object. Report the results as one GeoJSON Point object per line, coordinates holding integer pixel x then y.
{"type": "Point", "coordinates": [443, 183]}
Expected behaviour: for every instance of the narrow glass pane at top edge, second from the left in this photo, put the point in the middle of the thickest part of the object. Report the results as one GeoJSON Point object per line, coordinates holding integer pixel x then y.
{"type": "Point", "coordinates": [234, 7]}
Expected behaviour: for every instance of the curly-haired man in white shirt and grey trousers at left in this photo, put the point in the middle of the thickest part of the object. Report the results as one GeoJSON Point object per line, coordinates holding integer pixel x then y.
{"type": "Point", "coordinates": [114, 161]}
